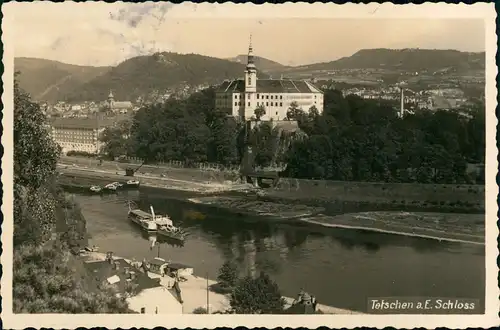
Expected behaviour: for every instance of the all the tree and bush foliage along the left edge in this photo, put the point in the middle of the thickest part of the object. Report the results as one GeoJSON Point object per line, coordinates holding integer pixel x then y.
{"type": "Point", "coordinates": [47, 279]}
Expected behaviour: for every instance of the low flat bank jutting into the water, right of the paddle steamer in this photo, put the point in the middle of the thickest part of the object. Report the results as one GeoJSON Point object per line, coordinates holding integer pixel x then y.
{"type": "Point", "coordinates": [451, 227]}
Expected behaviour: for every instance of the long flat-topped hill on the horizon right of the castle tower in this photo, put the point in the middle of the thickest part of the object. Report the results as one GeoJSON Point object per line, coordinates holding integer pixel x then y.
{"type": "Point", "coordinates": [404, 59]}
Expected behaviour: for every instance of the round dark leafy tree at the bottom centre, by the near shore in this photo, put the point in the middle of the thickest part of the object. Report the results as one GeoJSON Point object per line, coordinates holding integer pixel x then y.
{"type": "Point", "coordinates": [257, 296]}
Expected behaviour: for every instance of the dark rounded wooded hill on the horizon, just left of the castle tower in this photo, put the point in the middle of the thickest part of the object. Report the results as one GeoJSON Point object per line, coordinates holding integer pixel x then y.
{"type": "Point", "coordinates": [143, 75]}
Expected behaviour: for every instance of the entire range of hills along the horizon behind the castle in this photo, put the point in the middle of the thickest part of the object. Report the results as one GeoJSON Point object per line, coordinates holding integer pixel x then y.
{"type": "Point", "coordinates": [139, 76]}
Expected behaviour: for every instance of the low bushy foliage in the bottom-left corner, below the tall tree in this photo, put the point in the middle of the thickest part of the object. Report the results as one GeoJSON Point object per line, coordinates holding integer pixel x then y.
{"type": "Point", "coordinates": [45, 281]}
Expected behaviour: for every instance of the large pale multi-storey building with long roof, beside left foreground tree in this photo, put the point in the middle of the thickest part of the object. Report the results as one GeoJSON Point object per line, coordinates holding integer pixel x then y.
{"type": "Point", "coordinates": [78, 134]}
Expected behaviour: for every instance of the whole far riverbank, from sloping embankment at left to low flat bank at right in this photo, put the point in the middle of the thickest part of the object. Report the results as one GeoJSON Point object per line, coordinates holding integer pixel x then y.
{"type": "Point", "coordinates": [452, 227]}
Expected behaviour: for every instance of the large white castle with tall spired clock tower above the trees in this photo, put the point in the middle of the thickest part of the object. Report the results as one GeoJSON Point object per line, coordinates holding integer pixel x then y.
{"type": "Point", "coordinates": [239, 98]}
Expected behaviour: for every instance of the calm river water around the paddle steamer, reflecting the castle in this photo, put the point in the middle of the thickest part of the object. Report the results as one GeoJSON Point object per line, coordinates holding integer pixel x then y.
{"type": "Point", "coordinates": [341, 267]}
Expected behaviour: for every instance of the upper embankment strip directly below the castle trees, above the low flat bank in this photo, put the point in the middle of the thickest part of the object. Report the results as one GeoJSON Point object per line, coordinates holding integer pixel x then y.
{"type": "Point", "coordinates": [335, 196]}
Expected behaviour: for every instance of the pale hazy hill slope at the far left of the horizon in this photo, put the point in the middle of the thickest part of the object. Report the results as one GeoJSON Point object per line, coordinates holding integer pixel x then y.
{"type": "Point", "coordinates": [48, 80]}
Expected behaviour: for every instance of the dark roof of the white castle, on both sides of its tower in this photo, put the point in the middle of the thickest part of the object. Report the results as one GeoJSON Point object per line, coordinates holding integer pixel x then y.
{"type": "Point", "coordinates": [271, 86]}
